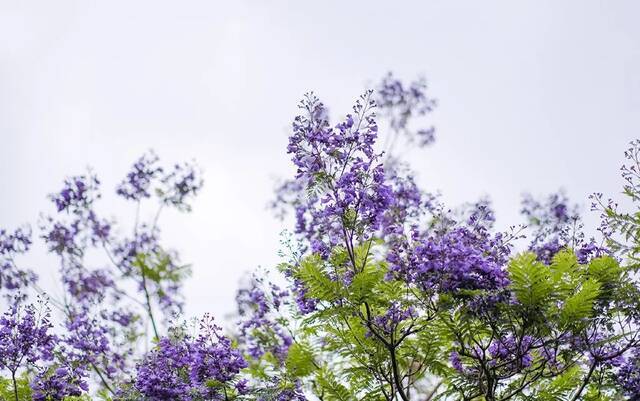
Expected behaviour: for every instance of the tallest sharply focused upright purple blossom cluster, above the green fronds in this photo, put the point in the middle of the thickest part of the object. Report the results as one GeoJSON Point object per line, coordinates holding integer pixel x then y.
{"type": "Point", "coordinates": [342, 172]}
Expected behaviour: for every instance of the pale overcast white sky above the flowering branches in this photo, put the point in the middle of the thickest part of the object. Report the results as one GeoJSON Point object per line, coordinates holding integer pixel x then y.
{"type": "Point", "coordinates": [534, 96]}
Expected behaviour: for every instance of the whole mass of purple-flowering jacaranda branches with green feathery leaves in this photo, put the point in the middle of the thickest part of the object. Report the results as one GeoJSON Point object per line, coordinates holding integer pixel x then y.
{"type": "Point", "coordinates": [383, 292]}
